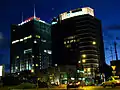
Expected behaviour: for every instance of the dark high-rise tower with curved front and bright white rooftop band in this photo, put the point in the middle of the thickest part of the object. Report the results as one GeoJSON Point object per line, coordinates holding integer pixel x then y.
{"type": "Point", "coordinates": [77, 40]}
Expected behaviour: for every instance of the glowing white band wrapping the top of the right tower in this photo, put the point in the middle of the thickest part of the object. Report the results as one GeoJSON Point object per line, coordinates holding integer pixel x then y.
{"type": "Point", "coordinates": [86, 10]}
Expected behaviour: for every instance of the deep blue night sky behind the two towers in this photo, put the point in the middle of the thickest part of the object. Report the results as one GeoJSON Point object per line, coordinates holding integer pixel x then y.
{"type": "Point", "coordinates": [11, 10]}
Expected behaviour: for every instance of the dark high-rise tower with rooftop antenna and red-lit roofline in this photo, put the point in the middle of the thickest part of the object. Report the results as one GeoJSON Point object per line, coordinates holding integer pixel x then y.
{"type": "Point", "coordinates": [30, 45]}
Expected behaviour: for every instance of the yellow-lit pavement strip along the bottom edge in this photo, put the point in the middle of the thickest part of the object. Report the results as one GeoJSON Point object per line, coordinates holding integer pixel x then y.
{"type": "Point", "coordinates": [80, 88]}
